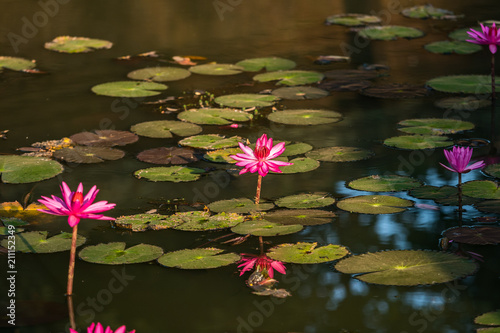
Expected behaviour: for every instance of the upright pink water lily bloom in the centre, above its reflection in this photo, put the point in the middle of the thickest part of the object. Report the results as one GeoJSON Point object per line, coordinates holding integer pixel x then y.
{"type": "Point", "coordinates": [260, 159]}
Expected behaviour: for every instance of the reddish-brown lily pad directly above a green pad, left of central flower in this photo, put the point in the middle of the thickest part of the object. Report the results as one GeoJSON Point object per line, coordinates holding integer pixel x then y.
{"type": "Point", "coordinates": [164, 155]}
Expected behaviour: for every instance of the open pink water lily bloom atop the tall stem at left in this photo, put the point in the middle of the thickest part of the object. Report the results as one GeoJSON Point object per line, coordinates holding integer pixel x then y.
{"type": "Point", "coordinates": [75, 206]}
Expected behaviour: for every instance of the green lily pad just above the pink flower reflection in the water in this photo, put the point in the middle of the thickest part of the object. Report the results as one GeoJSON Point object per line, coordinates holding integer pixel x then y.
{"type": "Point", "coordinates": [265, 228]}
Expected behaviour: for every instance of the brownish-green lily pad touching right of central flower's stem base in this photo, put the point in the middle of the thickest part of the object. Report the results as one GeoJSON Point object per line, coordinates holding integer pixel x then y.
{"type": "Point", "coordinates": [300, 216]}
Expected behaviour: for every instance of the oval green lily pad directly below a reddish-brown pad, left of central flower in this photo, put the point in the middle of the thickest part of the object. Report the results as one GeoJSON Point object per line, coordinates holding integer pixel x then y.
{"type": "Point", "coordinates": [174, 174]}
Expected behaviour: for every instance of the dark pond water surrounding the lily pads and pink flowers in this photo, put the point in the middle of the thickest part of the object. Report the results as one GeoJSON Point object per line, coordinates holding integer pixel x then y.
{"type": "Point", "coordinates": [151, 298]}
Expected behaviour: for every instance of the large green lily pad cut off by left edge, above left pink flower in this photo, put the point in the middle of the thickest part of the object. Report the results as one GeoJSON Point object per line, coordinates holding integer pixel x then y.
{"type": "Point", "coordinates": [27, 169]}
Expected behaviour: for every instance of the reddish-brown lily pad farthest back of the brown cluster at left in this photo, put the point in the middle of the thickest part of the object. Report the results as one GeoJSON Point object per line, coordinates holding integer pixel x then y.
{"type": "Point", "coordinates": [104, 138]}
